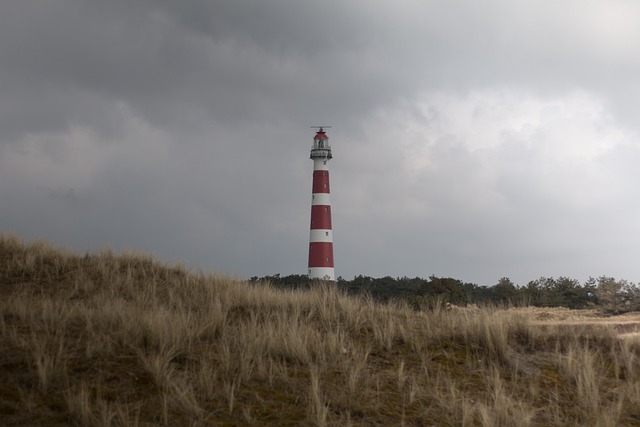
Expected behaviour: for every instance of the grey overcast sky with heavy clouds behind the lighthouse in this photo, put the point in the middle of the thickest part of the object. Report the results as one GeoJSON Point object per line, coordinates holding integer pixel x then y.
{"type": "Point", "coordinates": [475, 140]}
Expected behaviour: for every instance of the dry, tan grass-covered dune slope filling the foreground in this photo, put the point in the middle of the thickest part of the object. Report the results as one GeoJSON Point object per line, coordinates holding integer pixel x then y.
{"type": "Point", "coordinates": [109, 339]}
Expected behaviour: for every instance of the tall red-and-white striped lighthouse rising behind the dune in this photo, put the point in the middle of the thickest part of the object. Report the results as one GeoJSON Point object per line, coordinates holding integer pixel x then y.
{"type": "Point", "coordinates": [321, 235]}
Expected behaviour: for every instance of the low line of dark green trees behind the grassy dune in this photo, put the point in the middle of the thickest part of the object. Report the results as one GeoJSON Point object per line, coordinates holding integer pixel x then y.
{"type": "Point", "coordinates": [607, 293]}
